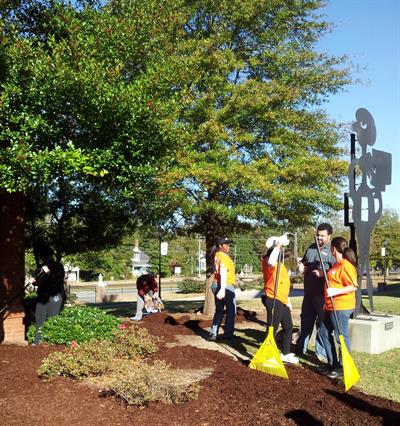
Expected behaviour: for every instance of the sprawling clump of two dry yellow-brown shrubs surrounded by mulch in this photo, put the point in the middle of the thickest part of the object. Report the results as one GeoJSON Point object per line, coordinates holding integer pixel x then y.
{"type": "Point", "coordinates": [118, 367]}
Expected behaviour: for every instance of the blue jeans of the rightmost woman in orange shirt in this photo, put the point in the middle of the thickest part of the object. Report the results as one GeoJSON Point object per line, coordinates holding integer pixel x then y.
{"type": "Point", "coordinates": [329, 328]}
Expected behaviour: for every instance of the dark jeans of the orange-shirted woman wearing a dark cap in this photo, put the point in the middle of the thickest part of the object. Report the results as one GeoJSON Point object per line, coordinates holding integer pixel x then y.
{"type": "Point", "coordinates": [230, 302]}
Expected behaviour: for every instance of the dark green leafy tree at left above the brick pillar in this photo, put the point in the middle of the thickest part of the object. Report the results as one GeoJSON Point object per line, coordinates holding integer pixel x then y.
{"type": "Point", "coordinates": [83, 122]}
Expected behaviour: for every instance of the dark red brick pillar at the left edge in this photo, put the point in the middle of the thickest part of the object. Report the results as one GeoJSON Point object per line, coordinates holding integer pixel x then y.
{"type": "Point", "coordinates": [12, 268]}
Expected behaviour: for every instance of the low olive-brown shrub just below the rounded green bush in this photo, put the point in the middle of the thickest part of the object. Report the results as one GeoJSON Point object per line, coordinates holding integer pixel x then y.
{"type": "Point", "coordinates": [97, 357]}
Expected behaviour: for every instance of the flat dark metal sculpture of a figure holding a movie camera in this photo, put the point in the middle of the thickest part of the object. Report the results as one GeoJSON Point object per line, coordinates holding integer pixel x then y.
{"type": "Point", "coordinates": [368, 176]}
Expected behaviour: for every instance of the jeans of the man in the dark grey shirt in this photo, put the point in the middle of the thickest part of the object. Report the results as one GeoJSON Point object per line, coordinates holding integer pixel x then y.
{"type": "Point", "coordinates": [312, 312]}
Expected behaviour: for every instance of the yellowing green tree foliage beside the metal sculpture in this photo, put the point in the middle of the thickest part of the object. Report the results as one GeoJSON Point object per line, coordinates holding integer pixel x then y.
{"type": "Point", "coordinates": [259, 147]}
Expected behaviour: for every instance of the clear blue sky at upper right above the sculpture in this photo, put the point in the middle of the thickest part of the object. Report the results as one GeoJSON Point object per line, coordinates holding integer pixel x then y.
{"type": "Point", "coordinates": [368, 31]}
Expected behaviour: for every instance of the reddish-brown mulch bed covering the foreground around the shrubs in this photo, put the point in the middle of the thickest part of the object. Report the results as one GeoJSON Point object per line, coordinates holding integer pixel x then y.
{"type": "Point", "coordinates": [232, 395]}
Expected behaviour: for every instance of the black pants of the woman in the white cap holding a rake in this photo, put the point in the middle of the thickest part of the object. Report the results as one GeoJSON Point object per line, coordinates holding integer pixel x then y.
{"type": "Point", "coordinates": [282, 317]}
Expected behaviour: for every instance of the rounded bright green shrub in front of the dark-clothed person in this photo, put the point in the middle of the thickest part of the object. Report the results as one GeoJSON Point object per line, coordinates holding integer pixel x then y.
{"type": "Point", "coordinates": [77, 323]}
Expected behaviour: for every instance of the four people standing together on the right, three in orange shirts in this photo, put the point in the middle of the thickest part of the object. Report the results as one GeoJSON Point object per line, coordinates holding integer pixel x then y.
{"type": "Point", "coordinates": [319, 302]}
